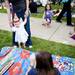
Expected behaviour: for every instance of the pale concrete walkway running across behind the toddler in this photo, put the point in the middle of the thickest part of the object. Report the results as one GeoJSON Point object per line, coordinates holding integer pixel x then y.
{"type": "Point", "coordinates": [58, 32]}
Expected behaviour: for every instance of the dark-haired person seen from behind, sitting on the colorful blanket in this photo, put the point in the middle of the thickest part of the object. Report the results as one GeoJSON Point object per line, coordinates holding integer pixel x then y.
{"type": "Point", "coordinates": [44, 64]}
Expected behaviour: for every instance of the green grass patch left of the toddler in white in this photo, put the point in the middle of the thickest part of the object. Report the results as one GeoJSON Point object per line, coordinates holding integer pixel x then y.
{"type": "Point", "coordinates": [5, 38]}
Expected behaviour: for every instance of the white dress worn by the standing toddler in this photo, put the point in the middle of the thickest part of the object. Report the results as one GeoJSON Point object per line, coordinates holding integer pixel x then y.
{"type": "Point", "coordinates": [20, 33]}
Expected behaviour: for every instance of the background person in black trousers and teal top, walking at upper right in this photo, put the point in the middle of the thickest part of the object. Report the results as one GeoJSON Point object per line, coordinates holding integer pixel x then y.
{"type": "Point", "coordinates": [66, 9]}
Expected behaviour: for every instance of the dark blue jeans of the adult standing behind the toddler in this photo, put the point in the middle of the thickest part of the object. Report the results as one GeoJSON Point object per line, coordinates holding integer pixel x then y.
{"type": "Point", "coordinates": [20, 14]}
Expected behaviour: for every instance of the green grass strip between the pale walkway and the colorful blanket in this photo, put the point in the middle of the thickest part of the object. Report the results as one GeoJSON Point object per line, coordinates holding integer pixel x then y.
{"type": "Point", "coordinates": [40, 45]}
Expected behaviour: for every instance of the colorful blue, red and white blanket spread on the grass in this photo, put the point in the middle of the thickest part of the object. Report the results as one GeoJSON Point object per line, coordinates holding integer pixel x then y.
{"type": "Point", "coordinates": [20, 61]}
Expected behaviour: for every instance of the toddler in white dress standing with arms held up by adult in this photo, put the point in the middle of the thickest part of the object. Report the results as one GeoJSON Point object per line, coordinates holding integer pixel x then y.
{"type": "Point", "coordinates": [21, 35]}
